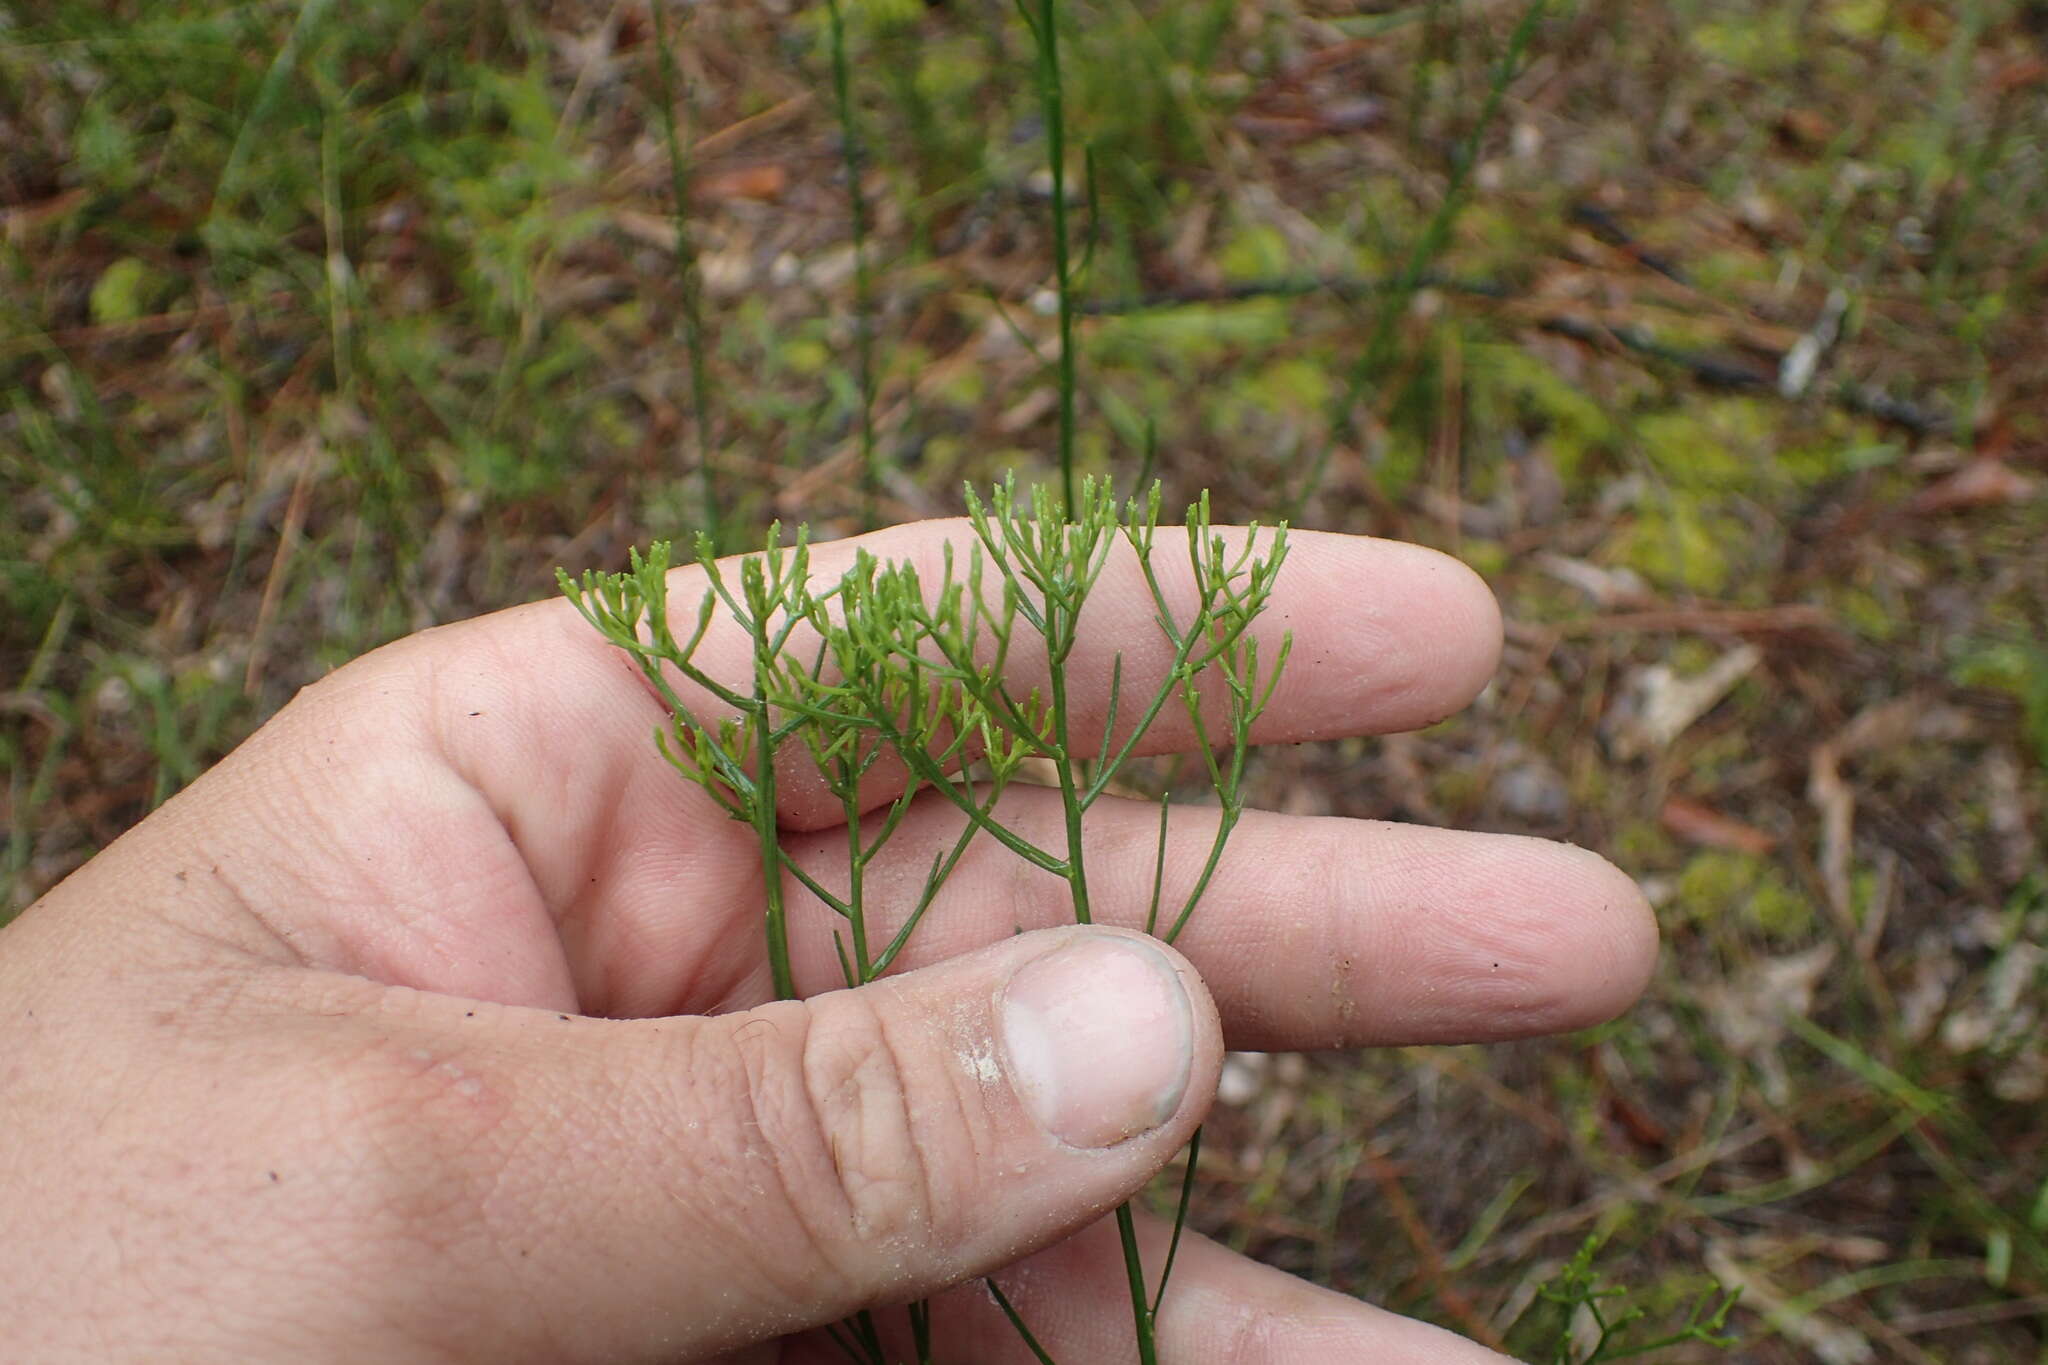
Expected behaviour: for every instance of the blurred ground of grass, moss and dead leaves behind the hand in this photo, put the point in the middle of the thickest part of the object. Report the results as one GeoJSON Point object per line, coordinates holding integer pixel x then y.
{"type": "Point", "coordinates": [1711, 333]}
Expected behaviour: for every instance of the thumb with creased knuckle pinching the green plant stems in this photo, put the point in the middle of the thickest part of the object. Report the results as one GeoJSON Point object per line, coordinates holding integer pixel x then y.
{"type": "Point", "coordinates": [728, 1180]}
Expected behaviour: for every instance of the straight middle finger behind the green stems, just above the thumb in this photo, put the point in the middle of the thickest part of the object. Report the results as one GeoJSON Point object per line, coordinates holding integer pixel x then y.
{"type": "Point", "coordinates": [1314, 934]}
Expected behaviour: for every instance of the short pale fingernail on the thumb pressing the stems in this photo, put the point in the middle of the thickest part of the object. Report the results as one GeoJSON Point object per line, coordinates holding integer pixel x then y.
{"type": "Point", "coordinates": [1101, 1041]}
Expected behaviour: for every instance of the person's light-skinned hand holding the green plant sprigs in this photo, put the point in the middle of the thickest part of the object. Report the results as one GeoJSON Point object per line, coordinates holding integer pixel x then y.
{"type": "Point", "coordinates": [435, 1022]}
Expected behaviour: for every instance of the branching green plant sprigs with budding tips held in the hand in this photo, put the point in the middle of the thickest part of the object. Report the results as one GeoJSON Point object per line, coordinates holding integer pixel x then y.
{"type": "Point", "coordinates": [884, 664]}
